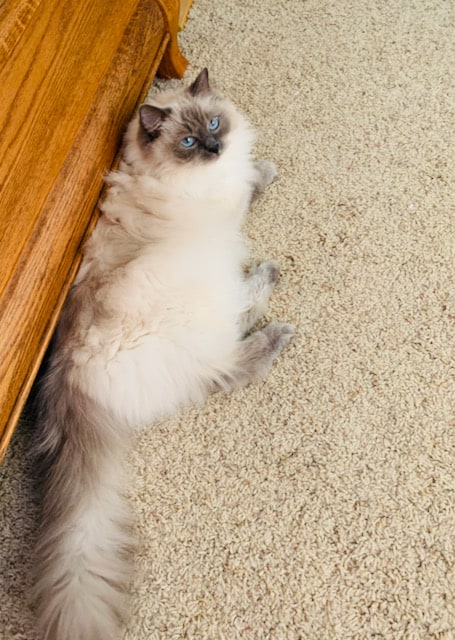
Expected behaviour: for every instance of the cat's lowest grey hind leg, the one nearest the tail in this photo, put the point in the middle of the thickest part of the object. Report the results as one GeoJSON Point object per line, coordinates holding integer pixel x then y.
{"type": "Point", "coordinates": [256, 353]}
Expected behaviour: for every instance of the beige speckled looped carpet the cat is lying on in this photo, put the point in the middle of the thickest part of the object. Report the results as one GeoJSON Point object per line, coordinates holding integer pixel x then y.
{"type": "Point", "coordinates": [320, 504]}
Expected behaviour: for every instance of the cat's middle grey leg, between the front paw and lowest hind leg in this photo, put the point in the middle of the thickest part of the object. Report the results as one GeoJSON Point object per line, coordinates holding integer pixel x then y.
{"type": "Point", "coordinates": [259, 285]}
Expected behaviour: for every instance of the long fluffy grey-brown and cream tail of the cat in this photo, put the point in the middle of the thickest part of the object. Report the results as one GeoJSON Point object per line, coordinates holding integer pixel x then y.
{"type": "Point", "coordinates": [82, 563]}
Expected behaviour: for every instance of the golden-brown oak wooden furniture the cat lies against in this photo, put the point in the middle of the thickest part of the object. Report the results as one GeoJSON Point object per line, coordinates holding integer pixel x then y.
{"type": "Point", "coordinates": [71, 74]}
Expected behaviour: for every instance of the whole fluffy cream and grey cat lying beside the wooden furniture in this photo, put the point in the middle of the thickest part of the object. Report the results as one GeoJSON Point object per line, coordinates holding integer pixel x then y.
{"type": "Point", "coordinates": [160, 315]}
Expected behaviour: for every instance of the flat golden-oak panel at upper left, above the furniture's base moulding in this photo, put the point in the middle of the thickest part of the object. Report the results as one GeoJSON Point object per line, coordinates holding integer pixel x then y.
{"type": "Point", "coordinates": [47, 88]}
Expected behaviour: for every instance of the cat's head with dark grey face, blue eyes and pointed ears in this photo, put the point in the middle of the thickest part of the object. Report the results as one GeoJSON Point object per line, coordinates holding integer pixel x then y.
{"type": "Point", "coordinates": [189, 127]}
